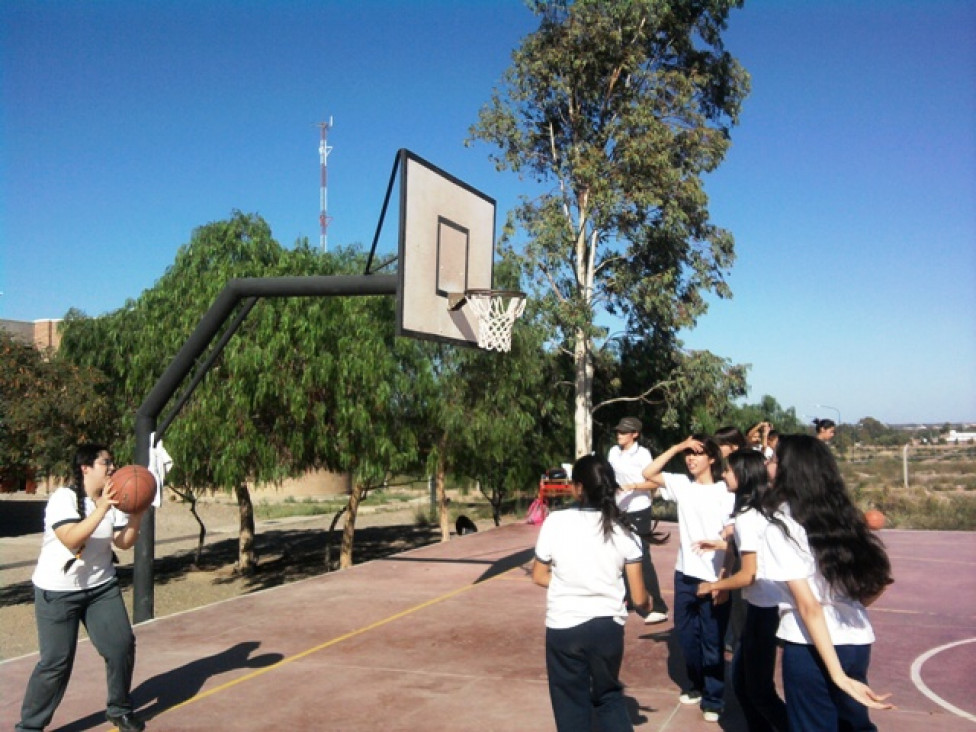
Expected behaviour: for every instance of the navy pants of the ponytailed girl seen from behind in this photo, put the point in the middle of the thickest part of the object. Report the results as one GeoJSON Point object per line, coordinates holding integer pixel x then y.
{"type": "Point", "coordinates": [583, 663]}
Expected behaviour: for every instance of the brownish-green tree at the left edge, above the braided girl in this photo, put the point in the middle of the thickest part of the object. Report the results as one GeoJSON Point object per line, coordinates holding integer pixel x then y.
{"type": "Point", "coordinates": [47, 407]}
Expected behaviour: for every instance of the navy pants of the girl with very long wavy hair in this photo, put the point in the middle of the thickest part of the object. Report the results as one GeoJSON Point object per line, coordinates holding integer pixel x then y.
{"type": "Point", "coordinates": [813, 702]}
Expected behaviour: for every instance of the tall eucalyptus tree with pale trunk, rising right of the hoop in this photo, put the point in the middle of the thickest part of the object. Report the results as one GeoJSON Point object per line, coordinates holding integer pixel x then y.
{"type": "Point", "coordinates": [617, 108]}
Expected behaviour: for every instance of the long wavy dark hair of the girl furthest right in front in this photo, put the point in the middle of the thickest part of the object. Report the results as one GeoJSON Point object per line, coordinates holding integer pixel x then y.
{"type": "Point", "coordinates": [851, 557]}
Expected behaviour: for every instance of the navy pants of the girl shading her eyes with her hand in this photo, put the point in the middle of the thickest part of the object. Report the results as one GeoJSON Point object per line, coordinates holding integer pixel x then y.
{"type": "Point", "coordinates": [701, 625]}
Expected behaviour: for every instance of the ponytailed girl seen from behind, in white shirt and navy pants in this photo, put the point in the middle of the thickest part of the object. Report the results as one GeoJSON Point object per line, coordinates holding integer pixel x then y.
{"type": "Point", "coordinates": [581, 556]}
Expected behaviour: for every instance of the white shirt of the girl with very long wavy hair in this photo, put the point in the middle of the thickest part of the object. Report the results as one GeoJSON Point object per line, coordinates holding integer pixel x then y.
{"type": "Point", "coordinates": [790, 558]}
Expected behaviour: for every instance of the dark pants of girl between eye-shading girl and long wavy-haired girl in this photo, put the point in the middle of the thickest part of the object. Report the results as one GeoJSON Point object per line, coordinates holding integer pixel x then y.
{"type": "Point", "coordinates": [754, 671]}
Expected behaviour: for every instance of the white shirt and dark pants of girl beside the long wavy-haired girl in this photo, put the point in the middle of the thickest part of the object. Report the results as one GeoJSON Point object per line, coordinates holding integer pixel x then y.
{"type": "Point", "coordinates": [754, 664]}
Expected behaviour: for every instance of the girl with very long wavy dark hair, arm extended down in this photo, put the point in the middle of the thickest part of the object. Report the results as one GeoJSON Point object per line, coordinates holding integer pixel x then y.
{"type": "Point", "coordinates": [829, 566]}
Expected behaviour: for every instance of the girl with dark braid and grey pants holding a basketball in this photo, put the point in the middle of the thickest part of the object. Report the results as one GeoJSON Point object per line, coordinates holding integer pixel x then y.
{"type": "Point", "coordinates": [75, 582]}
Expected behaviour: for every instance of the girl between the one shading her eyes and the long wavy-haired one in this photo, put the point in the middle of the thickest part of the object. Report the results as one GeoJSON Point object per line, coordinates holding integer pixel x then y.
{"type": "Point", "coordinates": [754, 664]}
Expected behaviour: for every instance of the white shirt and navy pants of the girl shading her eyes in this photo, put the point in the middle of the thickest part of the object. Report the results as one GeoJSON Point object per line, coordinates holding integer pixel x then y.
{"type": "Point", "coordinates": [703, 511]}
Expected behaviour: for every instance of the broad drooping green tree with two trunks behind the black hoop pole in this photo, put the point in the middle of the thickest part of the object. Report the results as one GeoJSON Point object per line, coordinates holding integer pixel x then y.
{"type": "Point", "coordinates": [304, 383]}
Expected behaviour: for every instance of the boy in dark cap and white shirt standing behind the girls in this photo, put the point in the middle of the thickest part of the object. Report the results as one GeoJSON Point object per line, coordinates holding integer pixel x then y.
{"type": "Point", "coordinates": [629, 459]}
